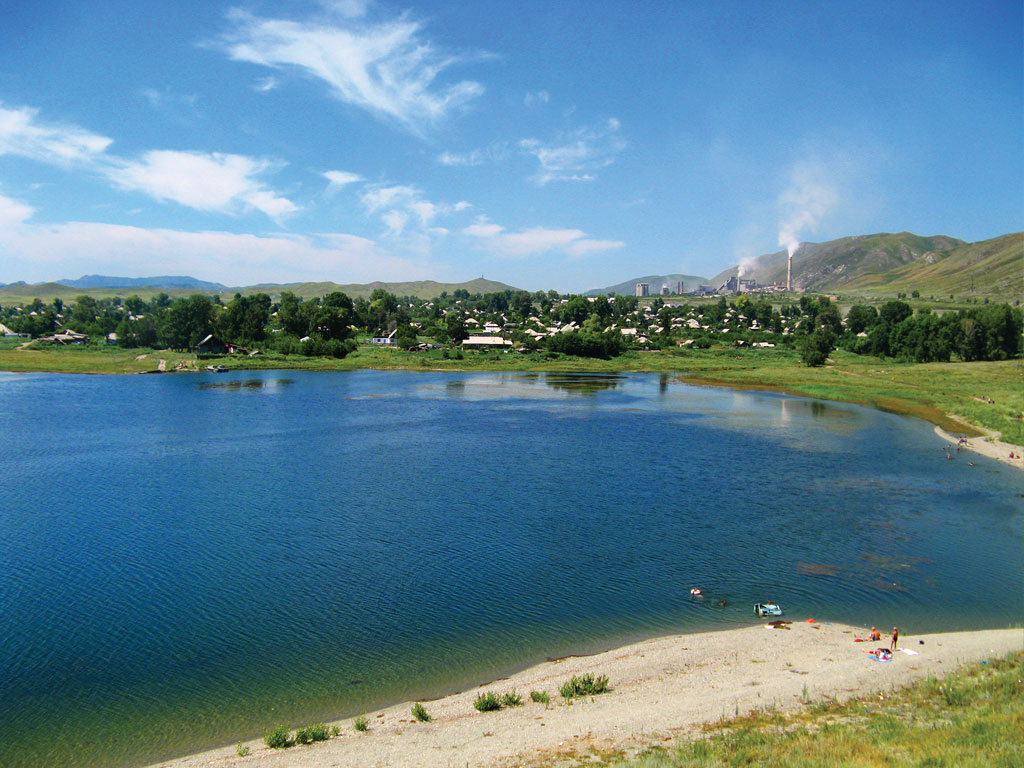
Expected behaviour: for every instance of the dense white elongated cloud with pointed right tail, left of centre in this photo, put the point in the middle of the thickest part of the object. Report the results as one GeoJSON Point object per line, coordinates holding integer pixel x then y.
{"type": "Point", "coordinates": [204, 182]}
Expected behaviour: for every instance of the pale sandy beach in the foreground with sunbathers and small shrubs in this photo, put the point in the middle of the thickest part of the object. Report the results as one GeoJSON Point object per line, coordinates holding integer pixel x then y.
{"type": "Point", "coordinates": [662, 690]}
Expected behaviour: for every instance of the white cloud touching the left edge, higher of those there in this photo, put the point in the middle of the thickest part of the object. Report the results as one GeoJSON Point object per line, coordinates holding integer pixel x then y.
{"type": "Point", "coordinates": [22, 134]}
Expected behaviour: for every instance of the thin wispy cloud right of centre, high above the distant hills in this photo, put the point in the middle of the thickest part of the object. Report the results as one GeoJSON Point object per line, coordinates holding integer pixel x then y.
{"type": "Point", "coordinates": [578, 156]}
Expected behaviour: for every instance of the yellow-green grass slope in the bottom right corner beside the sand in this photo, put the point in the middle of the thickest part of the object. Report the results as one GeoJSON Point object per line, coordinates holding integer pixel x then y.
{"type": "Point", "coordinates": [971, 718]}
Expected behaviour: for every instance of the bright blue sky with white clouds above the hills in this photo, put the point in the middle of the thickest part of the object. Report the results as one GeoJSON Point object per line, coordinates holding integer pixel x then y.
{"type": "Point", "coordinates": [545, 145]}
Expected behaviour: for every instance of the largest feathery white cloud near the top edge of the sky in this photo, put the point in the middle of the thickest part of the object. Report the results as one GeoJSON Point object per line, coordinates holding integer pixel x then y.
{"type": "Point", "coordinates": [388, 69]}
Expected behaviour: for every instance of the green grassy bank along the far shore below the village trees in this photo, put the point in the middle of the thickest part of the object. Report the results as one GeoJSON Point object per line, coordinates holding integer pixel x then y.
{"type": "Point", "coordinates": [932, 392]}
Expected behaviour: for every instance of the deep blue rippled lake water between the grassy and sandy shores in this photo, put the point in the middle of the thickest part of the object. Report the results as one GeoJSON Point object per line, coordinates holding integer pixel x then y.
{"type": "Point", "coordinates": [188, 560]}
